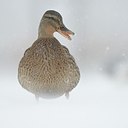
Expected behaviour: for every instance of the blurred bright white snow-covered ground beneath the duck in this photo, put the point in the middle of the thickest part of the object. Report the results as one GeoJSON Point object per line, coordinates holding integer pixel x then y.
{"type": "Point", "coordinates": [97, 102]}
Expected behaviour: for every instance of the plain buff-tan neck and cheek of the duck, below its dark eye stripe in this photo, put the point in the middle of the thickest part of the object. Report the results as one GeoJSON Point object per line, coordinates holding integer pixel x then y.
{"type": "Point", "coordinates": [45, 30]}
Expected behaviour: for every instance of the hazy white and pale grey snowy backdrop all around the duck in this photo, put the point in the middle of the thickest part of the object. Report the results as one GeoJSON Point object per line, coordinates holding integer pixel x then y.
{"type": "Point", "coordinates": [100, 47]}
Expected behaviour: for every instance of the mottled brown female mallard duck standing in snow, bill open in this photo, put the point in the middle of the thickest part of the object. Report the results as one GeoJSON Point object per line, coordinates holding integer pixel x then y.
{"type": "Point", "coordinates": [47, 69]}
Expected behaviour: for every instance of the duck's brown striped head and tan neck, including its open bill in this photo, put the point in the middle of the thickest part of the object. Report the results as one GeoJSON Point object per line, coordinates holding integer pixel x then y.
{"type": "Point", "coordinates": [52, 22]}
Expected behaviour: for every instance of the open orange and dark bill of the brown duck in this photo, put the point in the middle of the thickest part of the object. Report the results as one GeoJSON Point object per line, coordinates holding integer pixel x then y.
{"type": "Point", "coordinates": [65, 32]}
